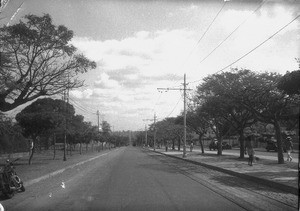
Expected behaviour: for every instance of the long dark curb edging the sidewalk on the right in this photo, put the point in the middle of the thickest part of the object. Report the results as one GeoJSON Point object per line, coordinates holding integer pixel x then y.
{"type": "Point", "coordinates": [269, 183]}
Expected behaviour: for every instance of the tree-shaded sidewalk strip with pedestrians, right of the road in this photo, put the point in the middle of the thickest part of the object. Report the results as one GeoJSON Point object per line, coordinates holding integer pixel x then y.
{"type": "Point", "coordinates": [265, 169]}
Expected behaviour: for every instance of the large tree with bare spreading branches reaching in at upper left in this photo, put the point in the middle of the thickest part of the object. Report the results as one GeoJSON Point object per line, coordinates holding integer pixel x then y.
{"type": "Point", "coordinates": [39, 61]}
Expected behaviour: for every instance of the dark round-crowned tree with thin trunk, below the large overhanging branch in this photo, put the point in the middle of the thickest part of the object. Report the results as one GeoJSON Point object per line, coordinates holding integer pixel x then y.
{"type": "Point", "coordinates": [42, 116]}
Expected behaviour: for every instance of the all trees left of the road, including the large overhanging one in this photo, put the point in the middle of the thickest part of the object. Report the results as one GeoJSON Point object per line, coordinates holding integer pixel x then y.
{"type": "Point", "coordinates": [37, 60]}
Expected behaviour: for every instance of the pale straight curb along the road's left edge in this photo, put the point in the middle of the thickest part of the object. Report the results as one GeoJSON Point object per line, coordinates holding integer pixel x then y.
{"type": "Point", "coordinates": [52, 174]}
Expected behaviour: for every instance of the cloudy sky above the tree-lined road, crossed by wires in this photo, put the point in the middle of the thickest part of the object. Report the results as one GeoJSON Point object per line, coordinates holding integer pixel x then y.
{"type": "Point", "coordinates": [142, 45]}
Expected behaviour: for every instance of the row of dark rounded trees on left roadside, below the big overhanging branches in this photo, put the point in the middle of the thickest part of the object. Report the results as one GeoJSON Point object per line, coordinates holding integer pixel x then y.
{"type": "Point", "coordinates": [49, 119]}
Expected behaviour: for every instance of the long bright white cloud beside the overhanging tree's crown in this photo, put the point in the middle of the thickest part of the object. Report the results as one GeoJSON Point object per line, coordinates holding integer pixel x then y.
{"type": "Point", "coordinates": [145, 50]}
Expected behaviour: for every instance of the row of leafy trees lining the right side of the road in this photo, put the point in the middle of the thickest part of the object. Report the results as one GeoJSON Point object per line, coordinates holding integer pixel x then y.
{"type": "Point", "coordinates": [229, 103]}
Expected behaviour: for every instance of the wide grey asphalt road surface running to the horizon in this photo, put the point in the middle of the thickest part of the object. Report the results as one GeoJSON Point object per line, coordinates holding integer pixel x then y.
{"type": "Point", "coordinates": [134, 179]}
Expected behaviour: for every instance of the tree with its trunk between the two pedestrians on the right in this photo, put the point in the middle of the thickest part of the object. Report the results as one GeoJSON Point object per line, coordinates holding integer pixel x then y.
{"type": "Point", "coordinates": [268, 104]}
